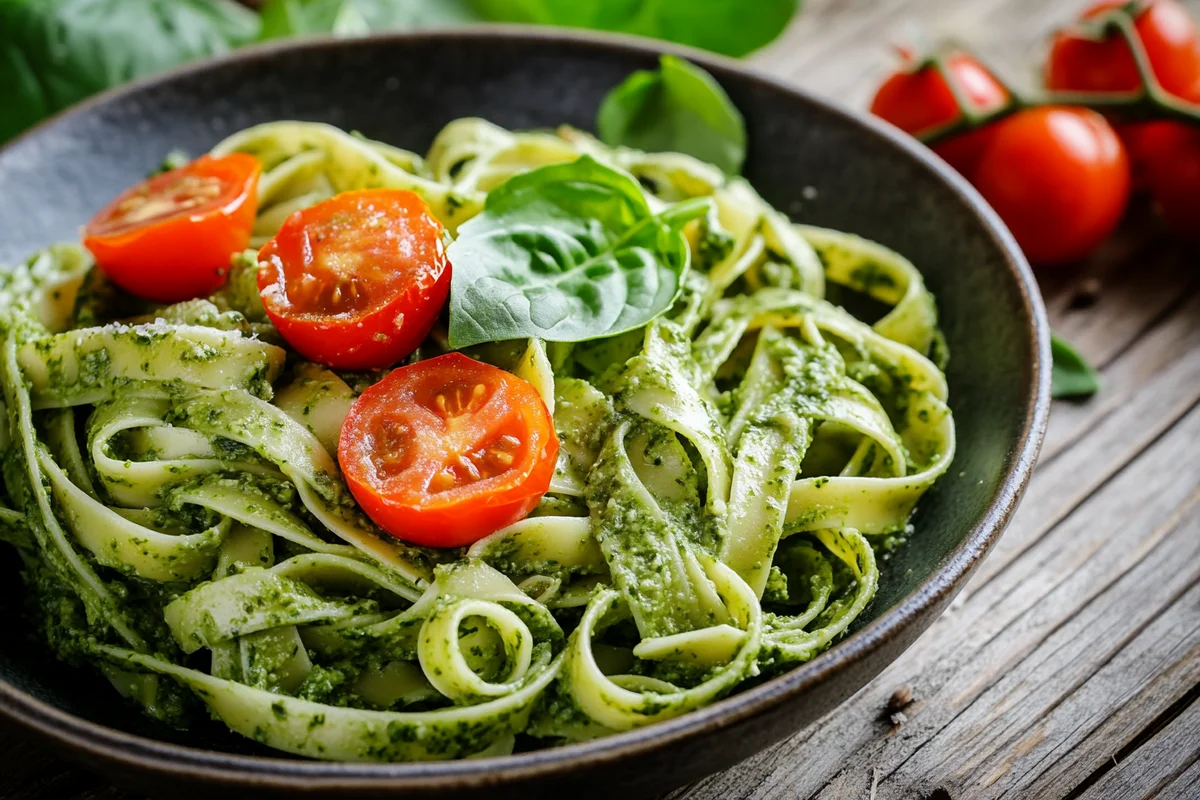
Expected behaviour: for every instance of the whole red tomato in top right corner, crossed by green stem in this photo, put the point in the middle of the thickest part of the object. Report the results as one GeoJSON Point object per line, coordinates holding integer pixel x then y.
{"type": "Point", "coordinates": [1167, 32]}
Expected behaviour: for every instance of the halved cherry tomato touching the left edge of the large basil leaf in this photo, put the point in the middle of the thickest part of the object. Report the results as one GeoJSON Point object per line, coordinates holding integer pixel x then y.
{"type": "Point", "coordinates": [357, 281]}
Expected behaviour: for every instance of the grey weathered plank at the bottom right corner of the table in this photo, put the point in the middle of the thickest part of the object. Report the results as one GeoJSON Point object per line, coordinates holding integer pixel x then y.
{"type": "Point", "coordinates": [1168, 756]}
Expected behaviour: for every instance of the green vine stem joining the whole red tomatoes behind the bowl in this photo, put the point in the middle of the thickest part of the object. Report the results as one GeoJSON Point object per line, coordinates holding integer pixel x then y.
{"type": "Point", "coordinates": [1149, 103]}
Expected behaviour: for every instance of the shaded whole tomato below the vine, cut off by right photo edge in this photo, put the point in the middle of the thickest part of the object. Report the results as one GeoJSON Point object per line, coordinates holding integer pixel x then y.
{"type": "Point", "coordinates": [1169, 154]}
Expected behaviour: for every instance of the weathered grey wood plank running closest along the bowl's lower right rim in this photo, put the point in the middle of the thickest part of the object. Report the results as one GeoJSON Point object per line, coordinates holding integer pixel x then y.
{"type": "Point", "coordinates": [971, 649]}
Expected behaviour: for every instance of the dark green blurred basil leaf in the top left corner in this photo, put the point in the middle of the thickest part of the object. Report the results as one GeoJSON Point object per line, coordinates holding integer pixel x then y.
{"type": "Point", "coordinates": [55, 53]}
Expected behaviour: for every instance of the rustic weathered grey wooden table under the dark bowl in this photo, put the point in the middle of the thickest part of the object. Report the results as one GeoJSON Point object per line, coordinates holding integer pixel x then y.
{"type": "Point", "coordinates": [1070, 667]}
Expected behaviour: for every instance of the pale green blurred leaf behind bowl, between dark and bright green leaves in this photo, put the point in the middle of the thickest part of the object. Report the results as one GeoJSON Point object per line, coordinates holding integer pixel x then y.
{"type": "Point", "coordinates": [358, 17]}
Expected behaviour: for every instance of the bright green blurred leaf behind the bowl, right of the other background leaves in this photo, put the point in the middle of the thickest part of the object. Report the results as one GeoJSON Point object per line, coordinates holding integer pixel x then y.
{"type": "Point", "coordinates": [730, 27]}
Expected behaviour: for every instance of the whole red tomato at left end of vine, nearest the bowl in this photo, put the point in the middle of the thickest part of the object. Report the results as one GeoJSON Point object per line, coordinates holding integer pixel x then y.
{"type": "Point", "coordinates": [920, 101]}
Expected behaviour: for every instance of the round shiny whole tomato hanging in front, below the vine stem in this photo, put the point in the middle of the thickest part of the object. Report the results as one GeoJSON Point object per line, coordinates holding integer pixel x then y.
{"type": "Point", "coordinates": [1059, 178]}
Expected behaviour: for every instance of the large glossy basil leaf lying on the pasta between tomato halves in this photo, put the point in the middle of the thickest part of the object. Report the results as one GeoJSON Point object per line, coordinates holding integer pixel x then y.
{"type": "Point", "coordinates": [566, 254]}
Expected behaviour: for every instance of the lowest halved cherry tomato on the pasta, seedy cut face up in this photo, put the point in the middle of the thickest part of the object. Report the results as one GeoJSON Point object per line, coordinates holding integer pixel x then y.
{"type": "Point", "coordinates": [447, 452]}
